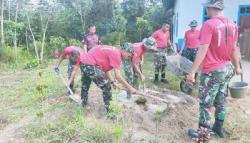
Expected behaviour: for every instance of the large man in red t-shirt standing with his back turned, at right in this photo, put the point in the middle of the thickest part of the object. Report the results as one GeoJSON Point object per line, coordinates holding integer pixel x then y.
{"type": "Point", "coordinates": [216, 54]}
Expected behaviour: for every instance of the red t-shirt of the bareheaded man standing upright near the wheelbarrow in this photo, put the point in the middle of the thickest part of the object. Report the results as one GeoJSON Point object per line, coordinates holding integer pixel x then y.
{"type": "Point", "coordinates": [162, 38]}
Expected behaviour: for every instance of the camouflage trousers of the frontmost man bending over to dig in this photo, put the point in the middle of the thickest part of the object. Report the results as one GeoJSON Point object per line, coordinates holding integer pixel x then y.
{"type": "Point", "coordinates": [93, 73]}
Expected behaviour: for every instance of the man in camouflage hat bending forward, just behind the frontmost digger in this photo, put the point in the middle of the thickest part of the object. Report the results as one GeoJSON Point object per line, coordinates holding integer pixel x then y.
{"type": "Point", "coordinates": [133, 66]}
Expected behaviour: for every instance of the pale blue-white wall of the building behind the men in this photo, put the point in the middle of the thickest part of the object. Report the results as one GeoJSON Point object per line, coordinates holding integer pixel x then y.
{"type": "Point", "coordinates": [187, 10]}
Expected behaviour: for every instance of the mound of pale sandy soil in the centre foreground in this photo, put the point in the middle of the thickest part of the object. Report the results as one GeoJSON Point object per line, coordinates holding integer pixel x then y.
{"type": "Point", "coordinates": [160, 120]}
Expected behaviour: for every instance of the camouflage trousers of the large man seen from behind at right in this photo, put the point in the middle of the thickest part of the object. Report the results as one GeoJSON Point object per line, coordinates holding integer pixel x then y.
{"type": "Point", "coordinates": [213, 91]}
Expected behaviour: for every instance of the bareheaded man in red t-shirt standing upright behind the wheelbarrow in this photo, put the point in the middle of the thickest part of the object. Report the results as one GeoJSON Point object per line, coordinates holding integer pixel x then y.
{"type": "Point", "coordinates": [162, 37]}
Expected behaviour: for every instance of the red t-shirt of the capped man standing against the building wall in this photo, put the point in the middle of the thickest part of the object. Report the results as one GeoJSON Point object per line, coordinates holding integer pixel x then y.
{"type": "Point", "coordinates": [192, 39]}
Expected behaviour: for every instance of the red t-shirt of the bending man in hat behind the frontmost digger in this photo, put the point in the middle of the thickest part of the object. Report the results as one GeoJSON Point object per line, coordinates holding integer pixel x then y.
{"type": "Point", "coordinates": [140, 50]}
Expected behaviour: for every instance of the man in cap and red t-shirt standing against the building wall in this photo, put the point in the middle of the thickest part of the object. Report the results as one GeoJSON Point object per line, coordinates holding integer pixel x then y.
{"type": "Point", "coordinates": [191, 41]}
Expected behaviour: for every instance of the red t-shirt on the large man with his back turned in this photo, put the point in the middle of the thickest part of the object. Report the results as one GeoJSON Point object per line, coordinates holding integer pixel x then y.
{"type": "Point", "coordinates": [220, 34]}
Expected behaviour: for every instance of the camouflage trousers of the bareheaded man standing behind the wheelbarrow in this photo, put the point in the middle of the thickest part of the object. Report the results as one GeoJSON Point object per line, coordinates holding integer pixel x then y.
{"type": "Point", "coordinates": [160, 61]}
